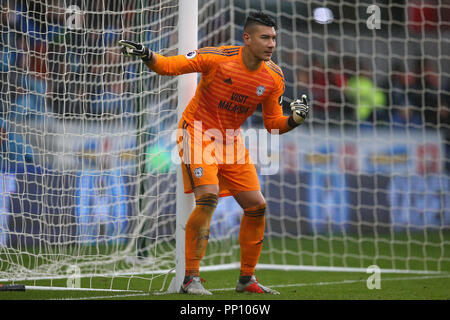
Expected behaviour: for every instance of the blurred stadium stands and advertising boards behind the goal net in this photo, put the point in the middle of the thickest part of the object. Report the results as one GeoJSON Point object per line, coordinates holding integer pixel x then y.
{"type": "Point", "coordinates": [376, 187]}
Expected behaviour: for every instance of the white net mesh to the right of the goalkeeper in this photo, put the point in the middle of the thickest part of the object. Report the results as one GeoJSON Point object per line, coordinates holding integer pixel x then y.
{"type": "Point", "coordinates": [366, 179]}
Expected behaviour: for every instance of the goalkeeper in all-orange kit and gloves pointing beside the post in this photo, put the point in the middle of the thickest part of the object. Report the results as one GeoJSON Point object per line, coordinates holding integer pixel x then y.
{"type": "Point", "coordinates": [235, 80]}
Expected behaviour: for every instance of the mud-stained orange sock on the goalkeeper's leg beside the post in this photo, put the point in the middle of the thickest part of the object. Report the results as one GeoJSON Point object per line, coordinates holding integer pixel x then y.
{"type": "Point", "coordinates": [197, 232]}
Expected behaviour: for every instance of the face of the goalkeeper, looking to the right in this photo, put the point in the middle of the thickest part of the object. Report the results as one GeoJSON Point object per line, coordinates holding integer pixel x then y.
{"type": "Point", "coordinates": [261, 40]}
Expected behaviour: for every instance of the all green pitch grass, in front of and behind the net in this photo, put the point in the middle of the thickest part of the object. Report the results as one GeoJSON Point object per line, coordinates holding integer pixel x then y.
{"type": "Point", "coordinates": [409, 252]}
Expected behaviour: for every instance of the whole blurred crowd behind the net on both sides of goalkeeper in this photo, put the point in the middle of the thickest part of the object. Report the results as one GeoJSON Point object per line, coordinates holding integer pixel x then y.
{"type": "Point", "coordinates": [50, 65]}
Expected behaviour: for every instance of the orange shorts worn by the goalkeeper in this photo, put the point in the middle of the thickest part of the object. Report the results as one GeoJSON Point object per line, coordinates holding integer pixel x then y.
{"type": "Point", "coordinates": [206, 161]}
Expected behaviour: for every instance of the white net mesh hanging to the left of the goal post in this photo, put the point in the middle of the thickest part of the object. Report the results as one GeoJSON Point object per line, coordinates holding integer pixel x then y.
{"type": "Point", "coordinates": [83, 129]}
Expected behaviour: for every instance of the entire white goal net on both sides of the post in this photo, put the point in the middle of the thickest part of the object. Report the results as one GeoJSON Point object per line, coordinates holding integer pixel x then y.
{"type": "Point", "coordinates": [87, 173]}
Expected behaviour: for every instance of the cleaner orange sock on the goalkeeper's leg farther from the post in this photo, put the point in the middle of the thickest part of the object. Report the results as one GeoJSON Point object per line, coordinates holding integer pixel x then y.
{"type": "Point", "coordinates": [251, 236]}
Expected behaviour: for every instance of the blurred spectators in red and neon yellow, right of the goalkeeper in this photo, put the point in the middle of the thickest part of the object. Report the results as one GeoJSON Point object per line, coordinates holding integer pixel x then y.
{"type": "Point", "coordinates": [344, 90]}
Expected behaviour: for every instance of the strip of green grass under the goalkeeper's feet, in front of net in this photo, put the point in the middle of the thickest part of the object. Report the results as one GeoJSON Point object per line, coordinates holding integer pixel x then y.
{"type": "Point", "coordinates": [292, 285]}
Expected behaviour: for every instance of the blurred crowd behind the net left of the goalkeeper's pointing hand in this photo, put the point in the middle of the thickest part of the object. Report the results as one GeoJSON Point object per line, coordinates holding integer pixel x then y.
{"type": "Point", "coordinates": [50, 63]}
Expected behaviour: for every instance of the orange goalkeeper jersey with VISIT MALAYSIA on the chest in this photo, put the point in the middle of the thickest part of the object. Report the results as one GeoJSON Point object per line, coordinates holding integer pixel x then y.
{"type": "Point", "coordinates": [228, 93]}
